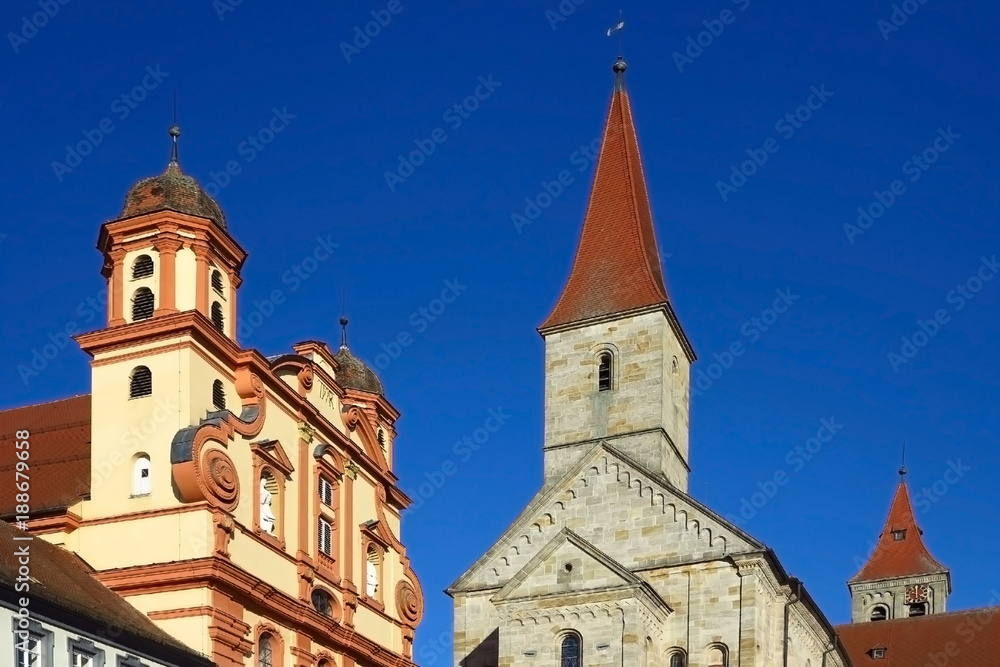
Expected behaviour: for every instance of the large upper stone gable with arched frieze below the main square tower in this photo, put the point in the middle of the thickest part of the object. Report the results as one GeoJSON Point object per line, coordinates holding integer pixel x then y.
{"type": "Point", "coordinates": [621, 509]}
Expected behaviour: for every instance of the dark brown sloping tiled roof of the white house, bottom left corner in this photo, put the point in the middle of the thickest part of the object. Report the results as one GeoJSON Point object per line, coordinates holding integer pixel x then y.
{"type": "Point", "coordinates": [63, 580]}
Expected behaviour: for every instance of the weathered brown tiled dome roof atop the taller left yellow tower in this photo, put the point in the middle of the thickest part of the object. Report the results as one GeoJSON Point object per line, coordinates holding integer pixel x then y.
{"type": "Point", "coordinates": [172, 191]}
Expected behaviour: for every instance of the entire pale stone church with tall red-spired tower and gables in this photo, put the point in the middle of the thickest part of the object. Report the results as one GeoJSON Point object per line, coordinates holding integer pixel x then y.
{"type": "Point", "coordinates": [612, 562]}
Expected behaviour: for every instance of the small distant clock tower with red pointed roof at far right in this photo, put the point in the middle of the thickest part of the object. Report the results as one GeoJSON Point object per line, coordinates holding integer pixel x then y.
{"type": "Point", "coordinates": [901, 579]}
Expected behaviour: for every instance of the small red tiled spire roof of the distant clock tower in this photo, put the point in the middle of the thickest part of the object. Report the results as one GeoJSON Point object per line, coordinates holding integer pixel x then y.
{"type": "Point", "coordinates": [899, 557]}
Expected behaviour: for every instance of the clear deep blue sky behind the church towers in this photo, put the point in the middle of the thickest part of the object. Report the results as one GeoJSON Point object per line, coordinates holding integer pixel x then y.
{"type": "Point", "coordinates": [887, 95]}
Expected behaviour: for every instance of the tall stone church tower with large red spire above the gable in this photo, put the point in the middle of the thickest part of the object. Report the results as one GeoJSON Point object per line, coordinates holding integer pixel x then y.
{"type": "Point", "coordinates": [616, 358]}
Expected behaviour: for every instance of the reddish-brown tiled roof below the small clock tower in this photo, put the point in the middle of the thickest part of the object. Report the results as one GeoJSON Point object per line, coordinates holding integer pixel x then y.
{"type": "Point", "coordinates": [958, 639]}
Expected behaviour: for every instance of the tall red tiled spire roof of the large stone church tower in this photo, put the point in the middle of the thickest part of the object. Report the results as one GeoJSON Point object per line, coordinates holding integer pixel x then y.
{"type": "Point", "coordinates": [617, 268]}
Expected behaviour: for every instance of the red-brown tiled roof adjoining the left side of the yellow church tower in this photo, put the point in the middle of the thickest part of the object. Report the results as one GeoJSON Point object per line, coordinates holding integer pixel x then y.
{"type": "Point", "coordinates": [59, 463]}
